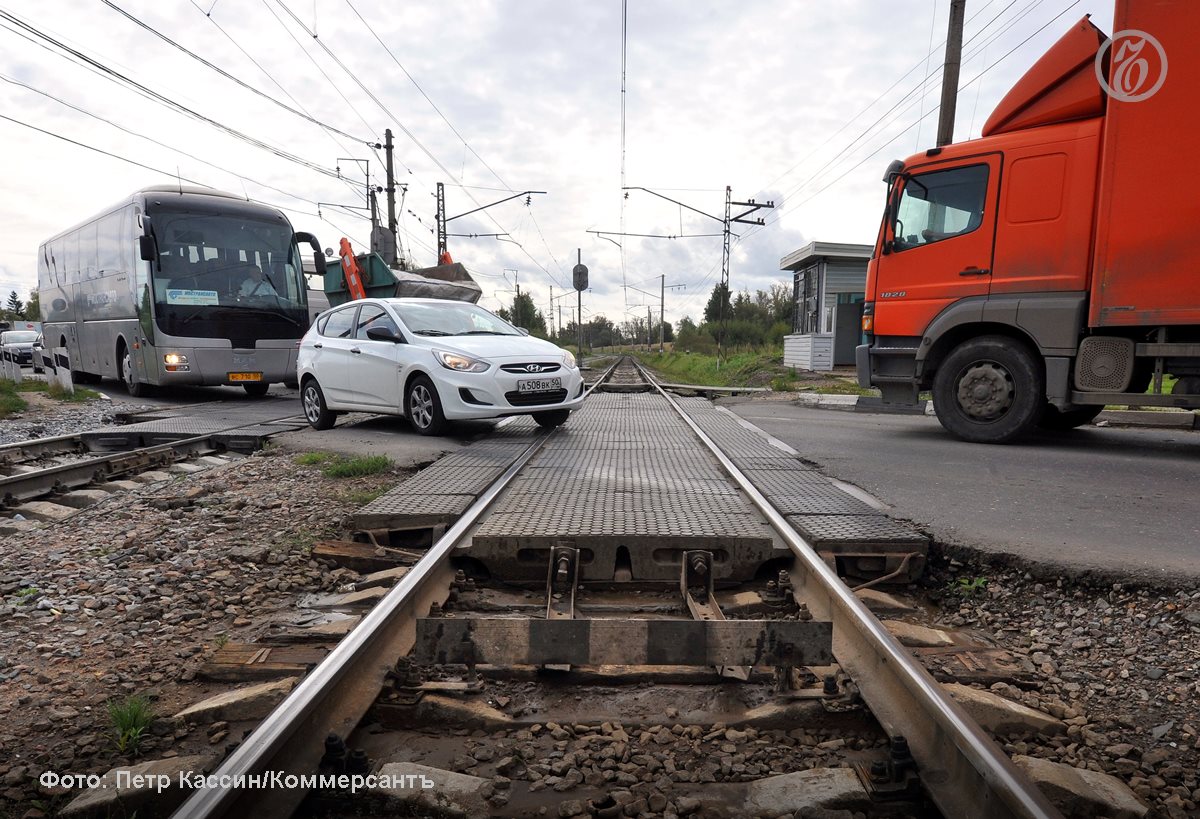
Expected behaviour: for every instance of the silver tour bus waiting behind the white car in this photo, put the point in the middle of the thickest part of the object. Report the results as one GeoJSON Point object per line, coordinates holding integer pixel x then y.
{"type": "Point", "coordinates": [178, 285]}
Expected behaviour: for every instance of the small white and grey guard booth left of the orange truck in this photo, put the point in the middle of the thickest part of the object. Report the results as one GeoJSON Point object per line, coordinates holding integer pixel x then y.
{"type": "Point", "coordinates": [829, 286]}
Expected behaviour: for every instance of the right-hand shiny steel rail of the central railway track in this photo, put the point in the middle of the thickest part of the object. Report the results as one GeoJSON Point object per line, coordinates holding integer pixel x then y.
{"type": "Point", "coordinates": [964, 770]}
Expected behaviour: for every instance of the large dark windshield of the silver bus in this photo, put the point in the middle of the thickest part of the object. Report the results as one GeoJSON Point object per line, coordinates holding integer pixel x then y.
{"type": "Point", "coordinates": [219, 268]}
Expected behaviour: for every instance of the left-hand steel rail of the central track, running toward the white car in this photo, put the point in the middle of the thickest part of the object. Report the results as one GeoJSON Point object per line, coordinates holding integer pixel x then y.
{"type": "Point", "coordinates": [339, 691]}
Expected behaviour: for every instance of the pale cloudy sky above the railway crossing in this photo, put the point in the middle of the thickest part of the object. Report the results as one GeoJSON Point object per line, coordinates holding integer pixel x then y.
{"type": "Point", "coordinates": [796, 101]}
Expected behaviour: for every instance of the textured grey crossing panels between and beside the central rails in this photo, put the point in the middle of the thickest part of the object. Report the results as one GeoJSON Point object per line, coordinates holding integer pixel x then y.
{"type": "Point", "coordinates": [627, 473]}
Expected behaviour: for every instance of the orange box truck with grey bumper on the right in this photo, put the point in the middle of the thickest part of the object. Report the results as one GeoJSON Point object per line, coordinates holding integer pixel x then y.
{"type": "Point", "coordinates": [1052, 267]}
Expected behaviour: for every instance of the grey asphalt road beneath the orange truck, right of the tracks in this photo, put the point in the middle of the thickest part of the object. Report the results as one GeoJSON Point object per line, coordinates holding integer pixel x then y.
{"type": "Point", "coordinates": [1121, 501]}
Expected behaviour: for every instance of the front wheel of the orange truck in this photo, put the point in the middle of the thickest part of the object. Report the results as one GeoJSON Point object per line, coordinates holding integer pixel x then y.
{"type": "Point", "coordinates": [989, 390]}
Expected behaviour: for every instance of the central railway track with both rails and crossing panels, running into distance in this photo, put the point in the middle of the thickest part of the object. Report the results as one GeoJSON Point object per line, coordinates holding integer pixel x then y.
{"type": "Point", "coordinates": [622, 618]}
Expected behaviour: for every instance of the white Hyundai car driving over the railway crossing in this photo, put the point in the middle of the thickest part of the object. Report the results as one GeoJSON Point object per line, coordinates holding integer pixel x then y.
{"type": "Point", "coordinates": [431, 361]}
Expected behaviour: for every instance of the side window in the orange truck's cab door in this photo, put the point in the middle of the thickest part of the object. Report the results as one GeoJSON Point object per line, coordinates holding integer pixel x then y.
{"type": "Point", "coordinates": [940, 205]}
